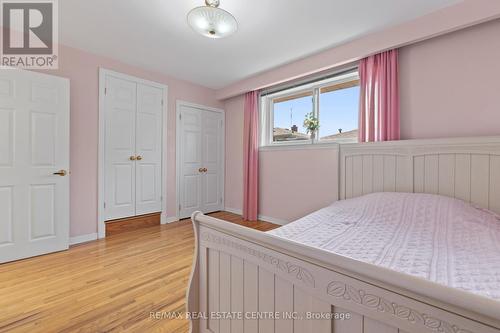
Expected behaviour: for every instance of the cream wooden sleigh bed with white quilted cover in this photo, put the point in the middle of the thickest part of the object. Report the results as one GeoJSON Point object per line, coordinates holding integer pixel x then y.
{"type": "Point", "coordinates": [413, 246]}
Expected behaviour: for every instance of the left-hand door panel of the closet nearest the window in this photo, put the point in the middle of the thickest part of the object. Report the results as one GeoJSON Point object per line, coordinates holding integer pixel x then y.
{"type": "Point", "coordinates": [190, 161]}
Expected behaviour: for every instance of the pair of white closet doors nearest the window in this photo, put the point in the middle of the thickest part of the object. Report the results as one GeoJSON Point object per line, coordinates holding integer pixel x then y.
{"type": "Point", "coordinates": [201, 156]}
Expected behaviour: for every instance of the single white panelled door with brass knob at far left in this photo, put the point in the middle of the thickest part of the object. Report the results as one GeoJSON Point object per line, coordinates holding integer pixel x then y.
{"type": "Point", "coordinates": [34, 164]}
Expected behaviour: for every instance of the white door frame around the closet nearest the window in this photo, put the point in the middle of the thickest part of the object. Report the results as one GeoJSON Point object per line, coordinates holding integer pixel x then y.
{"type": "Point", "coordinates": [179, 104]}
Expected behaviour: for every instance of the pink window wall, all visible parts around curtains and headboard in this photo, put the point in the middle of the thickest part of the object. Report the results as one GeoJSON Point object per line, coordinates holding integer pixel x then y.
{"type": "Point", "coordinates": [449, 87]}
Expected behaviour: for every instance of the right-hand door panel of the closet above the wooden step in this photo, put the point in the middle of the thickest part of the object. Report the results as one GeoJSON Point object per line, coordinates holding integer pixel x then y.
{"type": "Point", "coordinates": [148, 149]}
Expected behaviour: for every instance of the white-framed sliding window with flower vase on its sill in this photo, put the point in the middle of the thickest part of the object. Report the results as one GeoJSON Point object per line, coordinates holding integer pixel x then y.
{"type": "Point", "coordinates": [323, 111]}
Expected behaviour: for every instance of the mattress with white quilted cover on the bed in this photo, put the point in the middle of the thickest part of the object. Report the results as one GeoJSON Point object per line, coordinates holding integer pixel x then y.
{"type": "Point", "coordinates": [441, 239]}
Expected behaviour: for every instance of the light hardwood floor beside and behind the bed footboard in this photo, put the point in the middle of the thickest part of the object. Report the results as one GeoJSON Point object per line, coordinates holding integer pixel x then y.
{"type": "Point", "coordinates": [109, 285]}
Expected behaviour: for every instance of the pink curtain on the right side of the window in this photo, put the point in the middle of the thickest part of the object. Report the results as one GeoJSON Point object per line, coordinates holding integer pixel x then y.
{"type": "Point", "coordinates": [379, 98]}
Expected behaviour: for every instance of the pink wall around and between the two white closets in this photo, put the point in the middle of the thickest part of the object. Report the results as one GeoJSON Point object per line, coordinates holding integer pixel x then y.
{"type": "Point", "coordinates": [82, 70]}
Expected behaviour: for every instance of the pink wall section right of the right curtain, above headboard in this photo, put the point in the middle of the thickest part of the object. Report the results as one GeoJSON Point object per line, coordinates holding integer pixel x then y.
{"type": "Point", "coordinates": [450, 84]}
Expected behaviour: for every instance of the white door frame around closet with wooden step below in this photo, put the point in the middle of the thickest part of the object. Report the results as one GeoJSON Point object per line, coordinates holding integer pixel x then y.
{"type": "Point", "coordinates": [103, 72]}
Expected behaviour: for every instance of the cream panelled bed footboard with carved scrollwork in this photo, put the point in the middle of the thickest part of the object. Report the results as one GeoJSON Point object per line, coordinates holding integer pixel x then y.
{"type": "Point", "coordinates": [248, 281]}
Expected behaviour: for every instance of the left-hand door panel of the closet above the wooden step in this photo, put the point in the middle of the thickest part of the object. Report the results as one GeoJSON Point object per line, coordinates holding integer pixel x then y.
{"type": "Point", "coordinates": [120, 184]}
